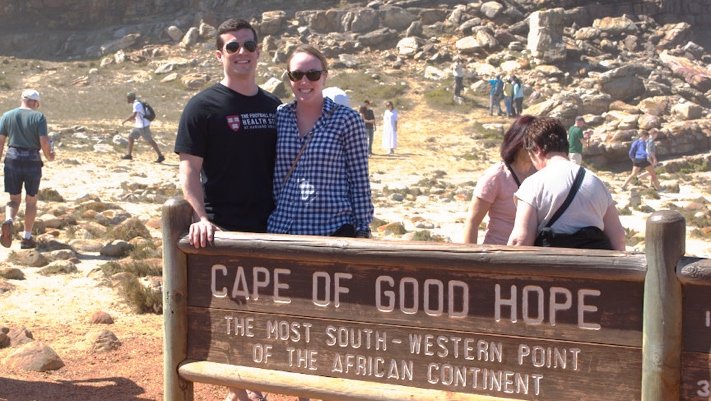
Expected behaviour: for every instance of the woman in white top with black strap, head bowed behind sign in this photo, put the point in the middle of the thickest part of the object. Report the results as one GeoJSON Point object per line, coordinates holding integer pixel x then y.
{"type": "Point", "coordinates": [541, 194]}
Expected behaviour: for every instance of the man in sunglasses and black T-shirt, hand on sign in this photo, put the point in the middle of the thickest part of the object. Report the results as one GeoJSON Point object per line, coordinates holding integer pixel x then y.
{"type": "Point", "coordinates": [227, 134]}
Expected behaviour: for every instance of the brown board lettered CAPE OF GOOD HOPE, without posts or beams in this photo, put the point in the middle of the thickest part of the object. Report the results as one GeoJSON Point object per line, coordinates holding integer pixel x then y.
{"type": "Point", "coordinates": [455, 329]}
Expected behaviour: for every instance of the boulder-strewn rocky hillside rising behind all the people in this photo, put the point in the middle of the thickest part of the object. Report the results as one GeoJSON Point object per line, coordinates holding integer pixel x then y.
{"type": "Point", "coordinates": [625, 65]}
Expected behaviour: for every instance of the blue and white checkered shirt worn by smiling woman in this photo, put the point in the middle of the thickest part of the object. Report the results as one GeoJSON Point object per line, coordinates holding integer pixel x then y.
{"type": "Point", "coordinates": [330, 186]}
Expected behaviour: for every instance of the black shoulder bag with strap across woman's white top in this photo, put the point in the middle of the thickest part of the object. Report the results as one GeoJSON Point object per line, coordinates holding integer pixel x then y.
{"type": "Point", "coordinates": [589, 237]}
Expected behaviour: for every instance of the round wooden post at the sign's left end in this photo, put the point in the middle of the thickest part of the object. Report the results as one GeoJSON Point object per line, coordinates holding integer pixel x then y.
{"type": "Point", "coordinates": [176, 219]}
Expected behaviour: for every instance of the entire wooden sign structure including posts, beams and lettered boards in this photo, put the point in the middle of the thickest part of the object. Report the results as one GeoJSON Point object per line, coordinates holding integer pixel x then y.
{"type": "Point", "coordinates": [357, 319]}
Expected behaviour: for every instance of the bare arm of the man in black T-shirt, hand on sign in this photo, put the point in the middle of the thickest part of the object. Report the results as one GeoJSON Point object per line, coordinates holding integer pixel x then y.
{"type": "Point", "coordinates": [202, 231]}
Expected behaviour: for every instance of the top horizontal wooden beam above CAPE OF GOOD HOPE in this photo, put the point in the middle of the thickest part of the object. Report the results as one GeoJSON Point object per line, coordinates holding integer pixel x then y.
{"type": "Point", "coordinates": [551, 262]}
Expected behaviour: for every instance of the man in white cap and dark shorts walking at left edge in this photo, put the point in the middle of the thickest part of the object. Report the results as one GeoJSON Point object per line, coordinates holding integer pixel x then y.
{"type": "Point", "coordinates": [25, 131]}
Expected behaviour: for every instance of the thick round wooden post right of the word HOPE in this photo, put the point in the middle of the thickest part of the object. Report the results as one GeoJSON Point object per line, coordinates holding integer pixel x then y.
{"type": "Point", "coordinates": [661, 327]}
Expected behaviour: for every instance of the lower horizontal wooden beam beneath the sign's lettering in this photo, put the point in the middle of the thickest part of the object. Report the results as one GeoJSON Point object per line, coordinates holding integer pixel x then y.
{"type": "Point", "coordinates": [325, 388]}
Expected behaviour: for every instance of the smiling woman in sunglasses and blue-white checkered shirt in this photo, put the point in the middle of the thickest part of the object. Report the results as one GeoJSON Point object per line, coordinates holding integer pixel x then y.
{"type": "Point", "coordinates": [321, 184]}
